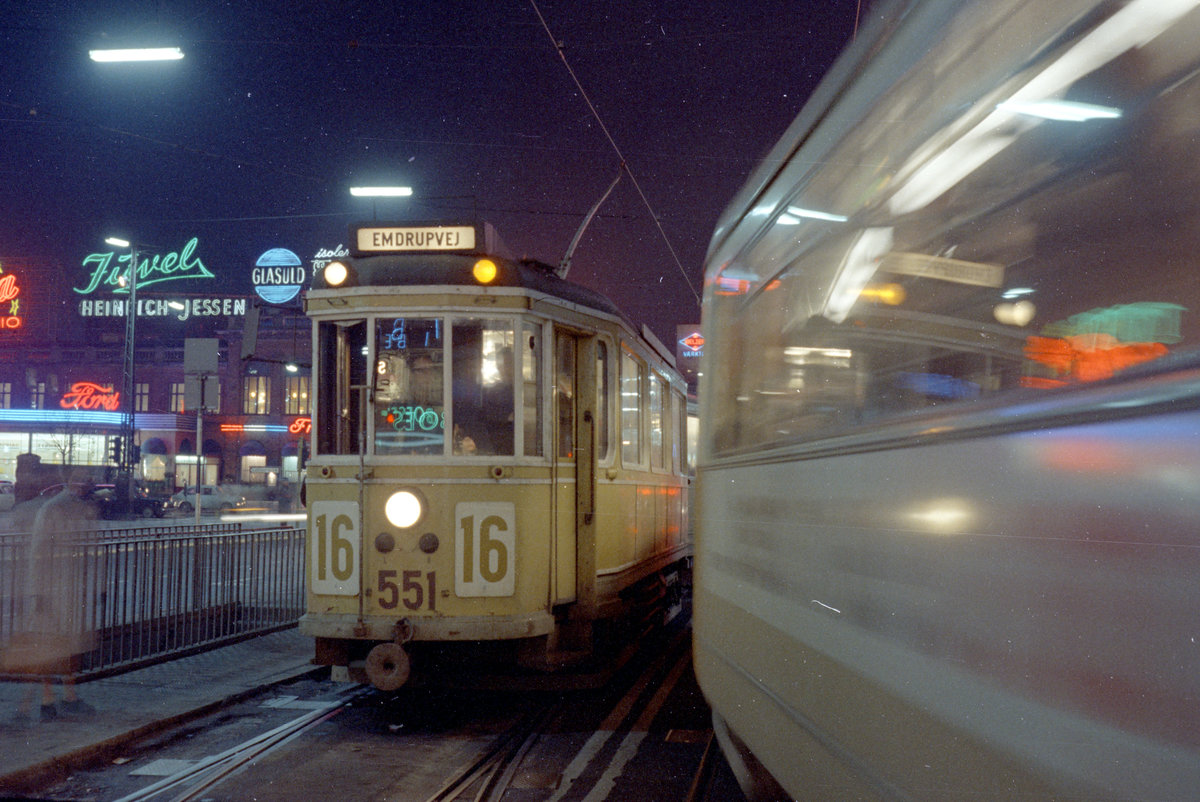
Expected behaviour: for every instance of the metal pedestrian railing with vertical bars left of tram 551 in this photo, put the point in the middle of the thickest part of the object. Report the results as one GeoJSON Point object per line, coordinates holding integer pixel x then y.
{"type": "Point", "coordinates": [98, 603]}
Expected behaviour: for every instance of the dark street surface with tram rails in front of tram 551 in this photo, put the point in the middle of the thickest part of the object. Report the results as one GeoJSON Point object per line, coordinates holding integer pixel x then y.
{"type": "Point", "coordinates": [590, 745]}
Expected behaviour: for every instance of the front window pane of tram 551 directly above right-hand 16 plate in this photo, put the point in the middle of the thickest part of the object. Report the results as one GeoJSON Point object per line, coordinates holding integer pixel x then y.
{"type": "Point", "coordinates": [483, 387]}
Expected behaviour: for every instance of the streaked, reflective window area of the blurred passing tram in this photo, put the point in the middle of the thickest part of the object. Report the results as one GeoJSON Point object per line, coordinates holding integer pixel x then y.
{"type": "Point", "coordinates": [1005, 241]}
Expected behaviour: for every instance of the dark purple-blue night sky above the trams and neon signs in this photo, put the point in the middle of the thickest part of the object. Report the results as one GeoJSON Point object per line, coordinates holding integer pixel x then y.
{"type": "Point", "coordinates": [255, 139]}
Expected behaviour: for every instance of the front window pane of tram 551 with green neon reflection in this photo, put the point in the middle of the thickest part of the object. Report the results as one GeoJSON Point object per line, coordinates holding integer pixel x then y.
{"type": "Point", "coordinates": [410, 412]}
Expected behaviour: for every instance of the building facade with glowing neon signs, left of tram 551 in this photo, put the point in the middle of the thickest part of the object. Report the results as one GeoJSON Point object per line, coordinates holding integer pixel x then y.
{"type": "Point", "coordinates": [63, 368]}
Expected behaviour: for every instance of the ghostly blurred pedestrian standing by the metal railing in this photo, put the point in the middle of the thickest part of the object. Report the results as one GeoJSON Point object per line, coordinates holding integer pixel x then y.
{"type": "Point", "coordinates": [51, 637]}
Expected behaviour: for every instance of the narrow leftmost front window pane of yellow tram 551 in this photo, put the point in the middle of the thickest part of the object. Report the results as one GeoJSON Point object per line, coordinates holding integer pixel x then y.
{"type": "Point", "coordinates": [343, 356]}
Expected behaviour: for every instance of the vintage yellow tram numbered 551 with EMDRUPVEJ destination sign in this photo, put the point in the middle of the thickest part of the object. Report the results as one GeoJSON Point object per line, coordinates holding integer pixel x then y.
{"type": "Point", "coordinates": [499, 459]}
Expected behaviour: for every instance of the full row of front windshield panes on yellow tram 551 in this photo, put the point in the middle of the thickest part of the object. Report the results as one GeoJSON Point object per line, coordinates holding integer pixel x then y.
{"type": "Point", "coordinates": [439, 387]}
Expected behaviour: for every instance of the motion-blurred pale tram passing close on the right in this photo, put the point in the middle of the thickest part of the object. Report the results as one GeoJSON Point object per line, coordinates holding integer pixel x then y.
{"type": "Point", "coordinates": [949, 526]}
